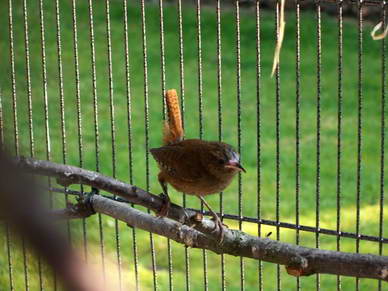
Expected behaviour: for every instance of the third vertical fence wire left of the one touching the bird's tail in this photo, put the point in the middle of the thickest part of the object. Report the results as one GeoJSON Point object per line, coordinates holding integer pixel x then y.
{"type": "Point", "coordinates": [113, 128]}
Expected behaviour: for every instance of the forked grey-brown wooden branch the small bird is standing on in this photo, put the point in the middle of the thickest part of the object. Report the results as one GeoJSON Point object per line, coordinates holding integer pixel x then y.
{"type": "Point", "coordinates": [299, 261]}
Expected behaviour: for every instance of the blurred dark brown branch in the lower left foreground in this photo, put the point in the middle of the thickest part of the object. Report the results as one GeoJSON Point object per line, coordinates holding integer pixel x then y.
{"type": "Point", "coordinates": [23, 212]}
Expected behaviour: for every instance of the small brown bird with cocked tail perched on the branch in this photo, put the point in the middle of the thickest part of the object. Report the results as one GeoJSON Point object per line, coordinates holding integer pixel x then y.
{"type": "Point", "coordinates": [193, 166]}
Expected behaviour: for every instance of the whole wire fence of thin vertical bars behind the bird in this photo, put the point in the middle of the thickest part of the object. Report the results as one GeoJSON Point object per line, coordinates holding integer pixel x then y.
{"type": "Point", "coordinates": [77, 90]}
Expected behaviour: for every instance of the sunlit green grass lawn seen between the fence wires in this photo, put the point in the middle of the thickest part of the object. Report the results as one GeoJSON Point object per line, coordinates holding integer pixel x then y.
{"type": "Point", "coordinates": [370, 191]}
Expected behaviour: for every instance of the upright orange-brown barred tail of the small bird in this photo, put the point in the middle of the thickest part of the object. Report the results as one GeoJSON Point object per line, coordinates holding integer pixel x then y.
{"type": "Point", "coordinates": [173, 130]}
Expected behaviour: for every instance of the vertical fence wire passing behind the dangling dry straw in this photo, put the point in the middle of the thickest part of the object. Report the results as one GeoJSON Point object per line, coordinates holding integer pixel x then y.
{"type": "Point", "coordinates": [277, 133]}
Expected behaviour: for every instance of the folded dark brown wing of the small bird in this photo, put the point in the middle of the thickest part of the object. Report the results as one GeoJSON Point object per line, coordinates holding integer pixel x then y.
{"type": "Point", "coordinates": [178, 162]}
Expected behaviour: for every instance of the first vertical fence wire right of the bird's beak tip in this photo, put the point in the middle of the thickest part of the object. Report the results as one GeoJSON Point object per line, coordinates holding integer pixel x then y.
{"type": "Point", "coordinates": [258, 117]}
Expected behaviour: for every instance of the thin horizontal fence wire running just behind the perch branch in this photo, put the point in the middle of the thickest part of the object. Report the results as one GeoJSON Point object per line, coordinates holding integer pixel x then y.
{"type": "Point", "coordinates": [253, 220]}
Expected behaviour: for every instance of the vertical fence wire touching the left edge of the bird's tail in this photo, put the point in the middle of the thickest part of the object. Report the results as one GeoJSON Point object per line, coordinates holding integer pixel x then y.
{"type": "Point", "coordinates": [163, 86]}
